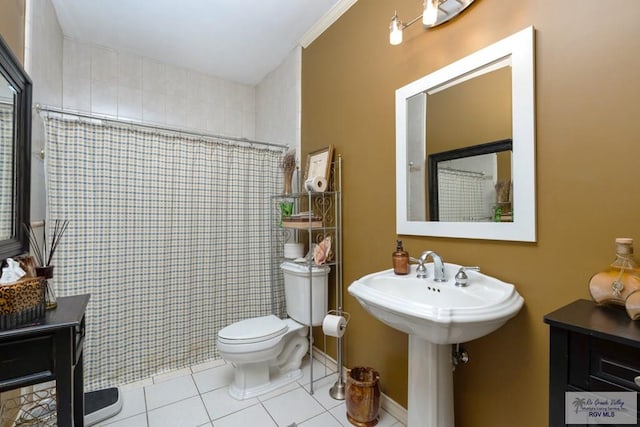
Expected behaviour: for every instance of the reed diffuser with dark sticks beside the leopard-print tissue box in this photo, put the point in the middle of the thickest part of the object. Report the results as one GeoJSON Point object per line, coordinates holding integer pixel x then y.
{"type": "Point", "coordinates": [44, 256]}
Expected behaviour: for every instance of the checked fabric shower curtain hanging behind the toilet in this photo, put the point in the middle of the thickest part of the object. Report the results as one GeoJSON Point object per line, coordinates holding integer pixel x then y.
{"type": "Point", "coordinates": [170, 236]}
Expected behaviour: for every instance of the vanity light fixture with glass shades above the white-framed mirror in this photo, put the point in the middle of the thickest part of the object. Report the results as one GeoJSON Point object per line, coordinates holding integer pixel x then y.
{"type": "Point", "coordinates": [434, 13]}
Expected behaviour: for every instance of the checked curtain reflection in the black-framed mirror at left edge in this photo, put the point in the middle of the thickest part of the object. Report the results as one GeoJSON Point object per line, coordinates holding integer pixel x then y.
{"type": "Point", "coordinates": [6, 171]}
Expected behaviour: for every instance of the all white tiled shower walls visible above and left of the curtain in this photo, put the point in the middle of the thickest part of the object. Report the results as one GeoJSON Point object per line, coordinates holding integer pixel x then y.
{"type": "Point", "coordinates": [84, 77]}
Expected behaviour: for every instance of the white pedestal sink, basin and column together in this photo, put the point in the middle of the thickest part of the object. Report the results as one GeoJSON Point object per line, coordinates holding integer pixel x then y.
{"type": "Point", "coordinates": [436, 315]}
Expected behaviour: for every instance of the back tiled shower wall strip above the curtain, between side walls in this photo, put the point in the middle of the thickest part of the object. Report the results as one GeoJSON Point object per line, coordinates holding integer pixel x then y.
{"type": "Point", "coordinates": [108, 82]}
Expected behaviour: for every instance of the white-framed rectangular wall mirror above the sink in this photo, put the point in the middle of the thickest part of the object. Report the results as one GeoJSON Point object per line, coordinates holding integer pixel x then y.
{"type": "Point", "coordinates": [460, 120]}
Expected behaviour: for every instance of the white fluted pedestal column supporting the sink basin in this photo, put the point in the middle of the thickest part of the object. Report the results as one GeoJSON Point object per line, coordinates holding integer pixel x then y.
{"type": "Point", "coordinates": [430, 384]}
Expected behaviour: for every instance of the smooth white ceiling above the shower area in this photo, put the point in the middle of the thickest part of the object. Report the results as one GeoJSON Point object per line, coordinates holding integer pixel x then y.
{"type": "Point", "coordinates": [237, 40]}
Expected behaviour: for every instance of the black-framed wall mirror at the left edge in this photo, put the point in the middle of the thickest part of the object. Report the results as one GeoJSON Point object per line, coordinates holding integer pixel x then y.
{"type": "Point", "coordinates": [15, 149]}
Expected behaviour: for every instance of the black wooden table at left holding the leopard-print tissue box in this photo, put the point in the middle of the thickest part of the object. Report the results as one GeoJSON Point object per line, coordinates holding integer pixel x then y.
{"type": "Point", "coordinates": [49, 349]}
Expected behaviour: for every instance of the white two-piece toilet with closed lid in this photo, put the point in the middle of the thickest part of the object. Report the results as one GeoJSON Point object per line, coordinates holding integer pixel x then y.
{"type": "Point", "coordinates": [267, 351]}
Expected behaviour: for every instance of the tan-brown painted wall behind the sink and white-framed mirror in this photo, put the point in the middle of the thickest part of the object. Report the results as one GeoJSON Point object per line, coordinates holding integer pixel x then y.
{"type": "Point", "coordinates": [588, 154]}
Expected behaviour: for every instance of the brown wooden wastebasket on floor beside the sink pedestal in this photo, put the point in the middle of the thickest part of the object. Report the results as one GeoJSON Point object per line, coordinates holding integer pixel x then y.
{"type": "Point", "coordinates": [363, 396]}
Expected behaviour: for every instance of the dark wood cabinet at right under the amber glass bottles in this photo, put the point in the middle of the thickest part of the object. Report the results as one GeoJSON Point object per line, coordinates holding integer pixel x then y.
{"type": "Point", "coordinates": [592, 348]}
